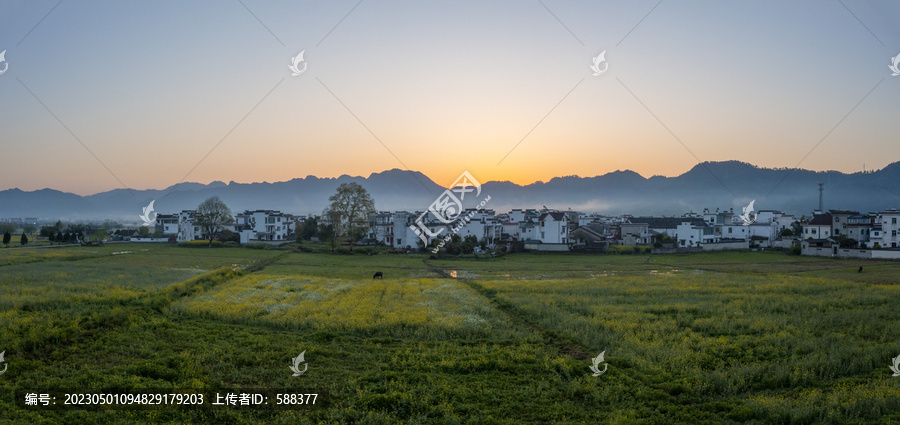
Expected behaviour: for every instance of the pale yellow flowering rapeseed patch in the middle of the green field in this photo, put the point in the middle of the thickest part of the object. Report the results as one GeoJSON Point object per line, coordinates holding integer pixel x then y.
{"type": "Point", "coordinates": [410, 307]}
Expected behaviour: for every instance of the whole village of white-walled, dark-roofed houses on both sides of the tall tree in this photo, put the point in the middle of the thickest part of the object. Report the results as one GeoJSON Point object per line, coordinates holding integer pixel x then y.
{"type": "Point", "coordinates": [832, 233]}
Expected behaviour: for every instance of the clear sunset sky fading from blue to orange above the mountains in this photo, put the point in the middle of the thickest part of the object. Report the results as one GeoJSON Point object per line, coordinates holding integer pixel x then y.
{"type": "Point", "coordinates": [109, 94]}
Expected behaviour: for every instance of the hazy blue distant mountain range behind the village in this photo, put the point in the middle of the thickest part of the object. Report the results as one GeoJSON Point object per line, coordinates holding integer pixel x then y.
{"type": "Point", "coordinates": [728, 184]}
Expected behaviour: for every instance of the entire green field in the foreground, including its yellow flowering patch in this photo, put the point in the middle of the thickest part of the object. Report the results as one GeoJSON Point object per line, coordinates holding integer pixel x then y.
{"type": "Point", "coordinates": [733, 337]}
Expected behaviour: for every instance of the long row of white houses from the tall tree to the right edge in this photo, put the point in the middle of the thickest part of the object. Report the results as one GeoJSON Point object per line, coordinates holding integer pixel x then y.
{"type": "Point", "coordinates": [549, 230]}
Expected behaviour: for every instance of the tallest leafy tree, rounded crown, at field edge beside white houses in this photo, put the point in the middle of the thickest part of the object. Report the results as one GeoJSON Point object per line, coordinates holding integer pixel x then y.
{"type": "Point", "coordinates": [353, 204]}
